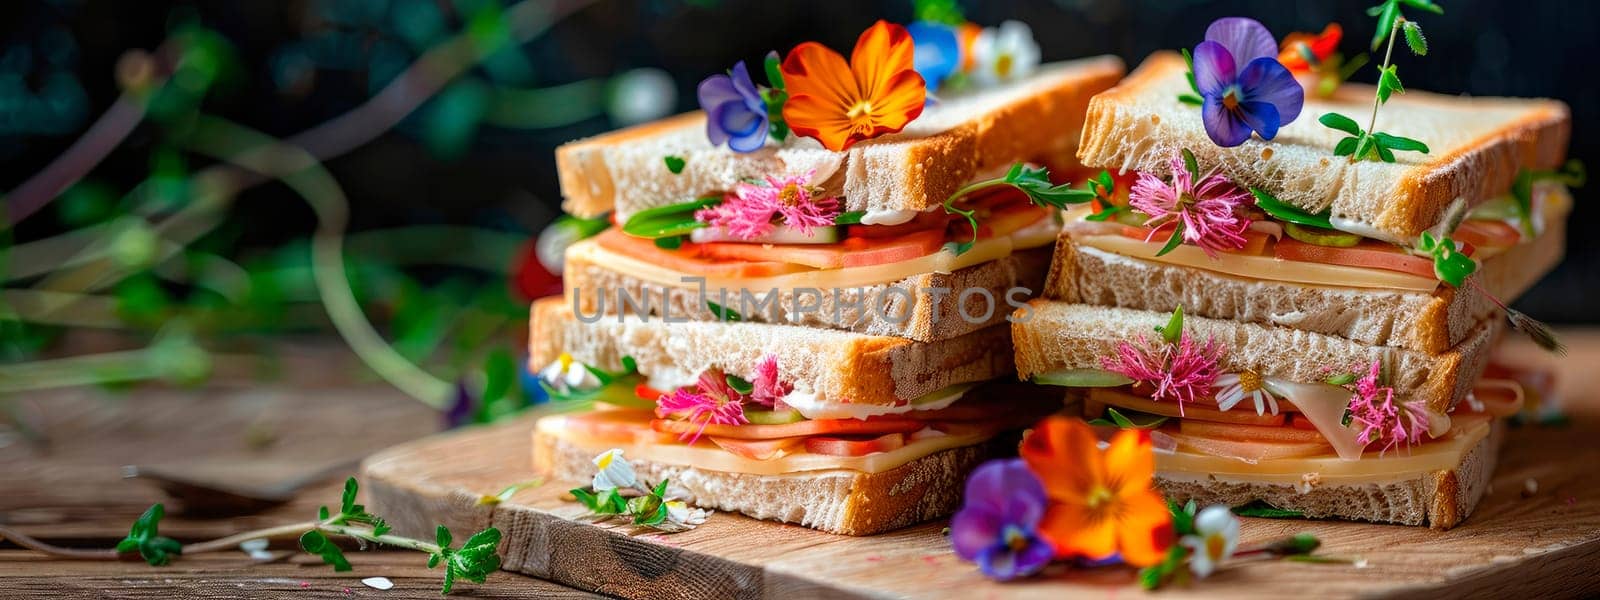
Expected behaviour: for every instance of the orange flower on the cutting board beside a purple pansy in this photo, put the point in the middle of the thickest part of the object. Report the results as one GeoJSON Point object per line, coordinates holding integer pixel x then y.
{"type": "Point", "coordinates": [1100, 503]}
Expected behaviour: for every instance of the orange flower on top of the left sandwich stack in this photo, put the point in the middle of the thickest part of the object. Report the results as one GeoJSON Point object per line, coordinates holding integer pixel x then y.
{"type": "Point", "coordinates": [839, 103]}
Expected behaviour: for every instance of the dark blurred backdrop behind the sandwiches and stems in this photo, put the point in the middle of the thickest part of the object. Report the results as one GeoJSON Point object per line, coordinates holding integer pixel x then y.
{"type": "Point", "coordinates": [457, 161]}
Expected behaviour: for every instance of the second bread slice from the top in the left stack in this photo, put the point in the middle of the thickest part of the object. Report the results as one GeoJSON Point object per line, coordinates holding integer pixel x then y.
{"type": "Point", "coordinates": [927, 319]}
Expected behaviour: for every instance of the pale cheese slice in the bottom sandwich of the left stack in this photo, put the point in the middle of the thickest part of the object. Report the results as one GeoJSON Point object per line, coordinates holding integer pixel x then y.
{"type": "Point", "coordinates": [708, 457]}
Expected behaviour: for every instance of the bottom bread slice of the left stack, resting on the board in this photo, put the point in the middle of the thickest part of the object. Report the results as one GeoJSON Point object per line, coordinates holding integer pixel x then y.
{"type": "Point", "coordinates": [836, 502]}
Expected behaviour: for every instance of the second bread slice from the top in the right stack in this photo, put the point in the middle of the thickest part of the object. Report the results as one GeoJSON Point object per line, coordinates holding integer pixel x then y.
{"type": "Point", "coordinates": [1412, 321]}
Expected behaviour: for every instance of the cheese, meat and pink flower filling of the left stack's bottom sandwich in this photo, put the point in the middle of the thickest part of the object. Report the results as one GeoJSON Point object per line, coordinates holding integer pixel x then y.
{"type": "Point", "coordinates": [769, 428]}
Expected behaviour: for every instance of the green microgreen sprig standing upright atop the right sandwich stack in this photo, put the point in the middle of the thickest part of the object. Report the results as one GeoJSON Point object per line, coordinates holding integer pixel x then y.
{"type": "Point", "coordinates": [1370, 145]}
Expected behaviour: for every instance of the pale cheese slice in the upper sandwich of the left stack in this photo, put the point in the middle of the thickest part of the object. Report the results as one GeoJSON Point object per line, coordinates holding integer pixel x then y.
{"type": "Point", "coordinates": [943, 262]}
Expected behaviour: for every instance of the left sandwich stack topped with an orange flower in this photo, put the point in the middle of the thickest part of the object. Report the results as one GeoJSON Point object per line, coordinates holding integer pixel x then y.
{"type": "Point", "coordinates": [801, 318]}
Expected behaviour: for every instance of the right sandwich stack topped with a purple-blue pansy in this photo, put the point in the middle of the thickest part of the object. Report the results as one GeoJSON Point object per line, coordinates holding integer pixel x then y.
{"type": "Point", "coordinates": [1298, 324]}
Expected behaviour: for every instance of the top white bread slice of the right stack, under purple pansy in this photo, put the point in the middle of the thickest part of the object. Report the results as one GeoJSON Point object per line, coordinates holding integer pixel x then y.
{"type": "Point", "coordinates": [1478, 146]}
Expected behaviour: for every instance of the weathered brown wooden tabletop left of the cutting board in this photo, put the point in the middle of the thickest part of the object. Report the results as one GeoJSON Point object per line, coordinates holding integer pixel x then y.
{"type": "Point", "coordinates": [66, 487]}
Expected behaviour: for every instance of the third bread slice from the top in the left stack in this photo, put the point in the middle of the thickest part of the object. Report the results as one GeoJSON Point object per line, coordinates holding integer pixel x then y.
{"type": "Point", "coordinates": [834, 366]}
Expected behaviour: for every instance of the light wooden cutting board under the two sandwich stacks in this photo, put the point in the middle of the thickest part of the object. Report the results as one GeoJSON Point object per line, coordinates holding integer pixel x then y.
{"type": "Point", "coordinates": [1516, 545]}
